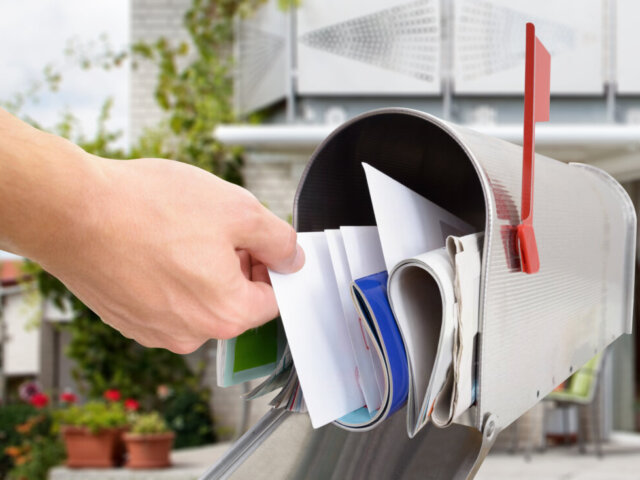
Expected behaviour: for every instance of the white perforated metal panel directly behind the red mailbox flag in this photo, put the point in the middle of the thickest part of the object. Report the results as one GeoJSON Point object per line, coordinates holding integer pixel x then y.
{"type": "Point", "coordinates": [489, 44]}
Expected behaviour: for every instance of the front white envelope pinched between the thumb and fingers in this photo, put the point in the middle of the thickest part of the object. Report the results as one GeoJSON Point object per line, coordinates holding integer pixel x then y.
{"type": "Point", "coordinates": [312, 316]}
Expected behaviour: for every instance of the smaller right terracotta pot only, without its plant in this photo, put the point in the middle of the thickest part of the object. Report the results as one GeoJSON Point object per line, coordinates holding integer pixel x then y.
{"type": "Point", "coordinates": [148, 450]}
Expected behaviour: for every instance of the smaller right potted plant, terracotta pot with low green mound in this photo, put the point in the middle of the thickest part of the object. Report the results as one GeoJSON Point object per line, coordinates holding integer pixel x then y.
{"type": "Point", "coordinates": [148, 442]}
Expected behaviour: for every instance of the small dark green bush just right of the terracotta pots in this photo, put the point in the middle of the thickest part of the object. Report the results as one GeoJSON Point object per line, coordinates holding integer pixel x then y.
{"type": "Point", "coordinates": [187, 413]}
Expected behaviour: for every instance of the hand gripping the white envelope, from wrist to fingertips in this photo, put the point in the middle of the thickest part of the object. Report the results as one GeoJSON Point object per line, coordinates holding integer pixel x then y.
{"type": "Point", "coordinates": [171, 255]}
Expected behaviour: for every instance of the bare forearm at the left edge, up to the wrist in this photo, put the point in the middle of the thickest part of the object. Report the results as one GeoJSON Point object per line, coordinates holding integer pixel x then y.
{"type": "Point", "coordinates": [44, 184]}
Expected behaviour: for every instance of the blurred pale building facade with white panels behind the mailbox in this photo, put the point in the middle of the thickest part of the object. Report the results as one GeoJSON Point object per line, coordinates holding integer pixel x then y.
{"type": "Point", "coordinates": [462, 60]}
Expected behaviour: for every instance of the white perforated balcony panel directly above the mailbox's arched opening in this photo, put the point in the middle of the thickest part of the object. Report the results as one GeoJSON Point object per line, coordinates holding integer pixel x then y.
{"type": "Point", "coordinates": [383, 47]}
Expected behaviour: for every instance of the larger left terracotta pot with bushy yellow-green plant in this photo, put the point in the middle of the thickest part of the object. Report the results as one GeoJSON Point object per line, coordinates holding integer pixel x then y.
{"type": "Point", "coordinates": [92, 433]}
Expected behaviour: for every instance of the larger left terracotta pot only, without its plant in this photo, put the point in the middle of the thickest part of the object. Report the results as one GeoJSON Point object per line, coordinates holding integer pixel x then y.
{"type": "Point", "coordinates": [92, 450]}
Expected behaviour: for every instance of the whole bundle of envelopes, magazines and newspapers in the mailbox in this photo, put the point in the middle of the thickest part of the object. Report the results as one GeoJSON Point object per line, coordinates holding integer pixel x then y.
{"type": "Point", "coordinates": [380, 316]}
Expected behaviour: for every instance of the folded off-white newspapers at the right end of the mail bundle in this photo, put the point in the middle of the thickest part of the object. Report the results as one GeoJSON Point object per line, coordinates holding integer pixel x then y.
{"type": "Point", "coordinates": [434, 297]}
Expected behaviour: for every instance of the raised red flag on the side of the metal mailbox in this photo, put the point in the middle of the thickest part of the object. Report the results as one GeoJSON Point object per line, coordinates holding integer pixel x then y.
{"type": "Point", "coordinates": [536, 109]}
